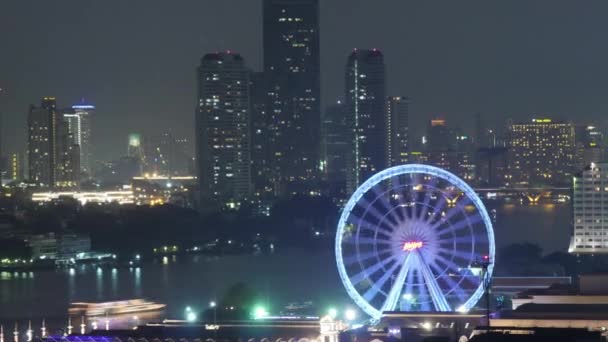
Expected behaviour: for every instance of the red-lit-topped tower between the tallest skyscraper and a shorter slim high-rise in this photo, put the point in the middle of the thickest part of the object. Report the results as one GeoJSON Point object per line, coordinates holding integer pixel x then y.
{"type": "Point", "coordinates": [366, 108]}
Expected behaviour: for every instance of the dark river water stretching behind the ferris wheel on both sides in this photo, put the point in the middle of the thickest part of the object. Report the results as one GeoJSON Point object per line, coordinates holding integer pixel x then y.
{"type": "Point", "coordinates": [286, 276]}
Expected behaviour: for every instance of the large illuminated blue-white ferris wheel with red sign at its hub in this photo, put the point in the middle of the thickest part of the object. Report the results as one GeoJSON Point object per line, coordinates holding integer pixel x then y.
{"type": "Point", "coordinates": [414, 238]}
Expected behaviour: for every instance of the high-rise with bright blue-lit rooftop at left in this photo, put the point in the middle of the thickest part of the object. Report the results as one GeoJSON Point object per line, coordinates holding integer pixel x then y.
{"type": "Point", "coordinates": [78, 119]}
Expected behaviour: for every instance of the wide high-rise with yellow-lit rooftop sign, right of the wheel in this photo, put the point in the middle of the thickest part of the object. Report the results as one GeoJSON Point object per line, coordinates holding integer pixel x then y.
{"type": "Point", "coordinates": [541, 152]}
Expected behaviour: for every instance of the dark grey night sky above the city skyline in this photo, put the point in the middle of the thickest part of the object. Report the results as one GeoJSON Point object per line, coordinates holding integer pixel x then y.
{"type": "Point", "coordinates": [136, 59]}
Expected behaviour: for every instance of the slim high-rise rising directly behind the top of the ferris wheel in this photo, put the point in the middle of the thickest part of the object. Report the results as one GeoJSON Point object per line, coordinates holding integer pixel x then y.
{"type": "Point", "coordinates": [397, 117]}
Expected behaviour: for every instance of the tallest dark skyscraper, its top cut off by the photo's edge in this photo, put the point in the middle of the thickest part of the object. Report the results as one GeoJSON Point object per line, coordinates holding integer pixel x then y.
{"type": "Point", "coordinates": [292, 63]}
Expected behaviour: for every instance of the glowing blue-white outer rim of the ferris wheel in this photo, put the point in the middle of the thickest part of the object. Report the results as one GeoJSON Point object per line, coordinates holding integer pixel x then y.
{"type": "Point", "coordinates": [404, 170]}
